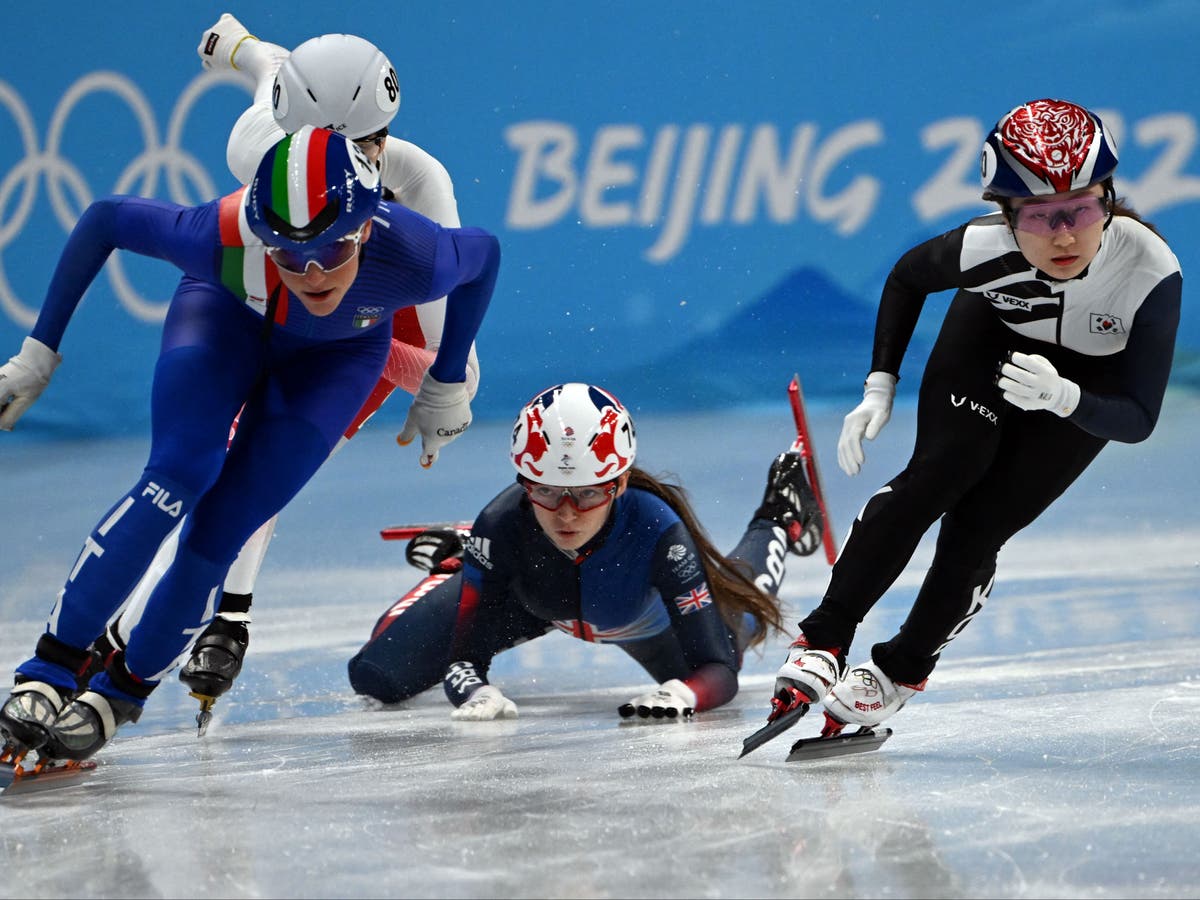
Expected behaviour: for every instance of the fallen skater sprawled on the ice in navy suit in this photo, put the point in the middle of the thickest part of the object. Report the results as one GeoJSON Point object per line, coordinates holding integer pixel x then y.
{"type": "Point", "coordinates": [590, 544]}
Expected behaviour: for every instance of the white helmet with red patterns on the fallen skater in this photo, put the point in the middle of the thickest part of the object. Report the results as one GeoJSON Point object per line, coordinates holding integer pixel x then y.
{"type": "Point", "coordinates": [573, 435]}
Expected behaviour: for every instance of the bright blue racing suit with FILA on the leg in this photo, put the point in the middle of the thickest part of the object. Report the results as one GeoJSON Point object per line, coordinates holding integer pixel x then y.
{"type": "Point", "coordinates": [235, 340]}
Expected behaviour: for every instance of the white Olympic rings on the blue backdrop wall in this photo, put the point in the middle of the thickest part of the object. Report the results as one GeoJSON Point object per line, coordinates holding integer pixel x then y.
{"type": "Point", "coordinates": [68, 187]}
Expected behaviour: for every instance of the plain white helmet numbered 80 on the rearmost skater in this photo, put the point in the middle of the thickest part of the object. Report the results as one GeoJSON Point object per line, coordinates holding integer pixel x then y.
{"type": "Point", "coordinates": [338, 82]}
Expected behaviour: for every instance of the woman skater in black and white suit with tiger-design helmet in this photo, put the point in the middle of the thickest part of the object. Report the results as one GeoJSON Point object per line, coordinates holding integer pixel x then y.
{"type": "Point", "coordinates": [1059, 339]}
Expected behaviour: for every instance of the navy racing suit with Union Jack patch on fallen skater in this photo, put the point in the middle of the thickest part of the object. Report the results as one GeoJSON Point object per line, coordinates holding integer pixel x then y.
{"type": "Point", "coordinates": [639, 585]}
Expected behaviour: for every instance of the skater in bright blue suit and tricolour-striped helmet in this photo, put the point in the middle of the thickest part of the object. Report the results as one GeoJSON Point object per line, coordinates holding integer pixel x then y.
{"type": "Point", "coordinates": [284, 316]}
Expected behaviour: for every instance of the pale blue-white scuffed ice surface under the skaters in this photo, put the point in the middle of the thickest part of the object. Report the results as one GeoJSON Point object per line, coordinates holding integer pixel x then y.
{"type": "Point", "coordinates": [1057, 753]}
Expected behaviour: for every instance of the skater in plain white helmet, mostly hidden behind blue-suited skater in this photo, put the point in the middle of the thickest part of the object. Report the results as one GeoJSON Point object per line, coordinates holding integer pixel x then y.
{"type": "Point", "coordinates": [347, 85]}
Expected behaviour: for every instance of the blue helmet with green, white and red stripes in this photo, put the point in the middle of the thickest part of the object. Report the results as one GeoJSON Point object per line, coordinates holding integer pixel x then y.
{"type": "Point", "coordinates": [313, 189]}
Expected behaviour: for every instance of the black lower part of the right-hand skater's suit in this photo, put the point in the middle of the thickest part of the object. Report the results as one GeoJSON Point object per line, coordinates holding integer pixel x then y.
{"type": "Point", "coordinates": [982, 465]}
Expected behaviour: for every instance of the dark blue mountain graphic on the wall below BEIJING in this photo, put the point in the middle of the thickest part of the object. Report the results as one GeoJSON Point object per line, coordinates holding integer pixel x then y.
{"type": "Point", "coordinates": [803, 325]}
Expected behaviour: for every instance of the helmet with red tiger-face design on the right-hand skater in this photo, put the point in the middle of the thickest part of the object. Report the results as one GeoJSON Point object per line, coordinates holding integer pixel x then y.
{"type": "Point", "coordinates": [1047, 147]}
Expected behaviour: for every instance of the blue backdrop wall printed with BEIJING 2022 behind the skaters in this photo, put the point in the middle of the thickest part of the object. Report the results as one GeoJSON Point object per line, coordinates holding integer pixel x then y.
{"type": "Point", "coordinates": [695, 200]}
